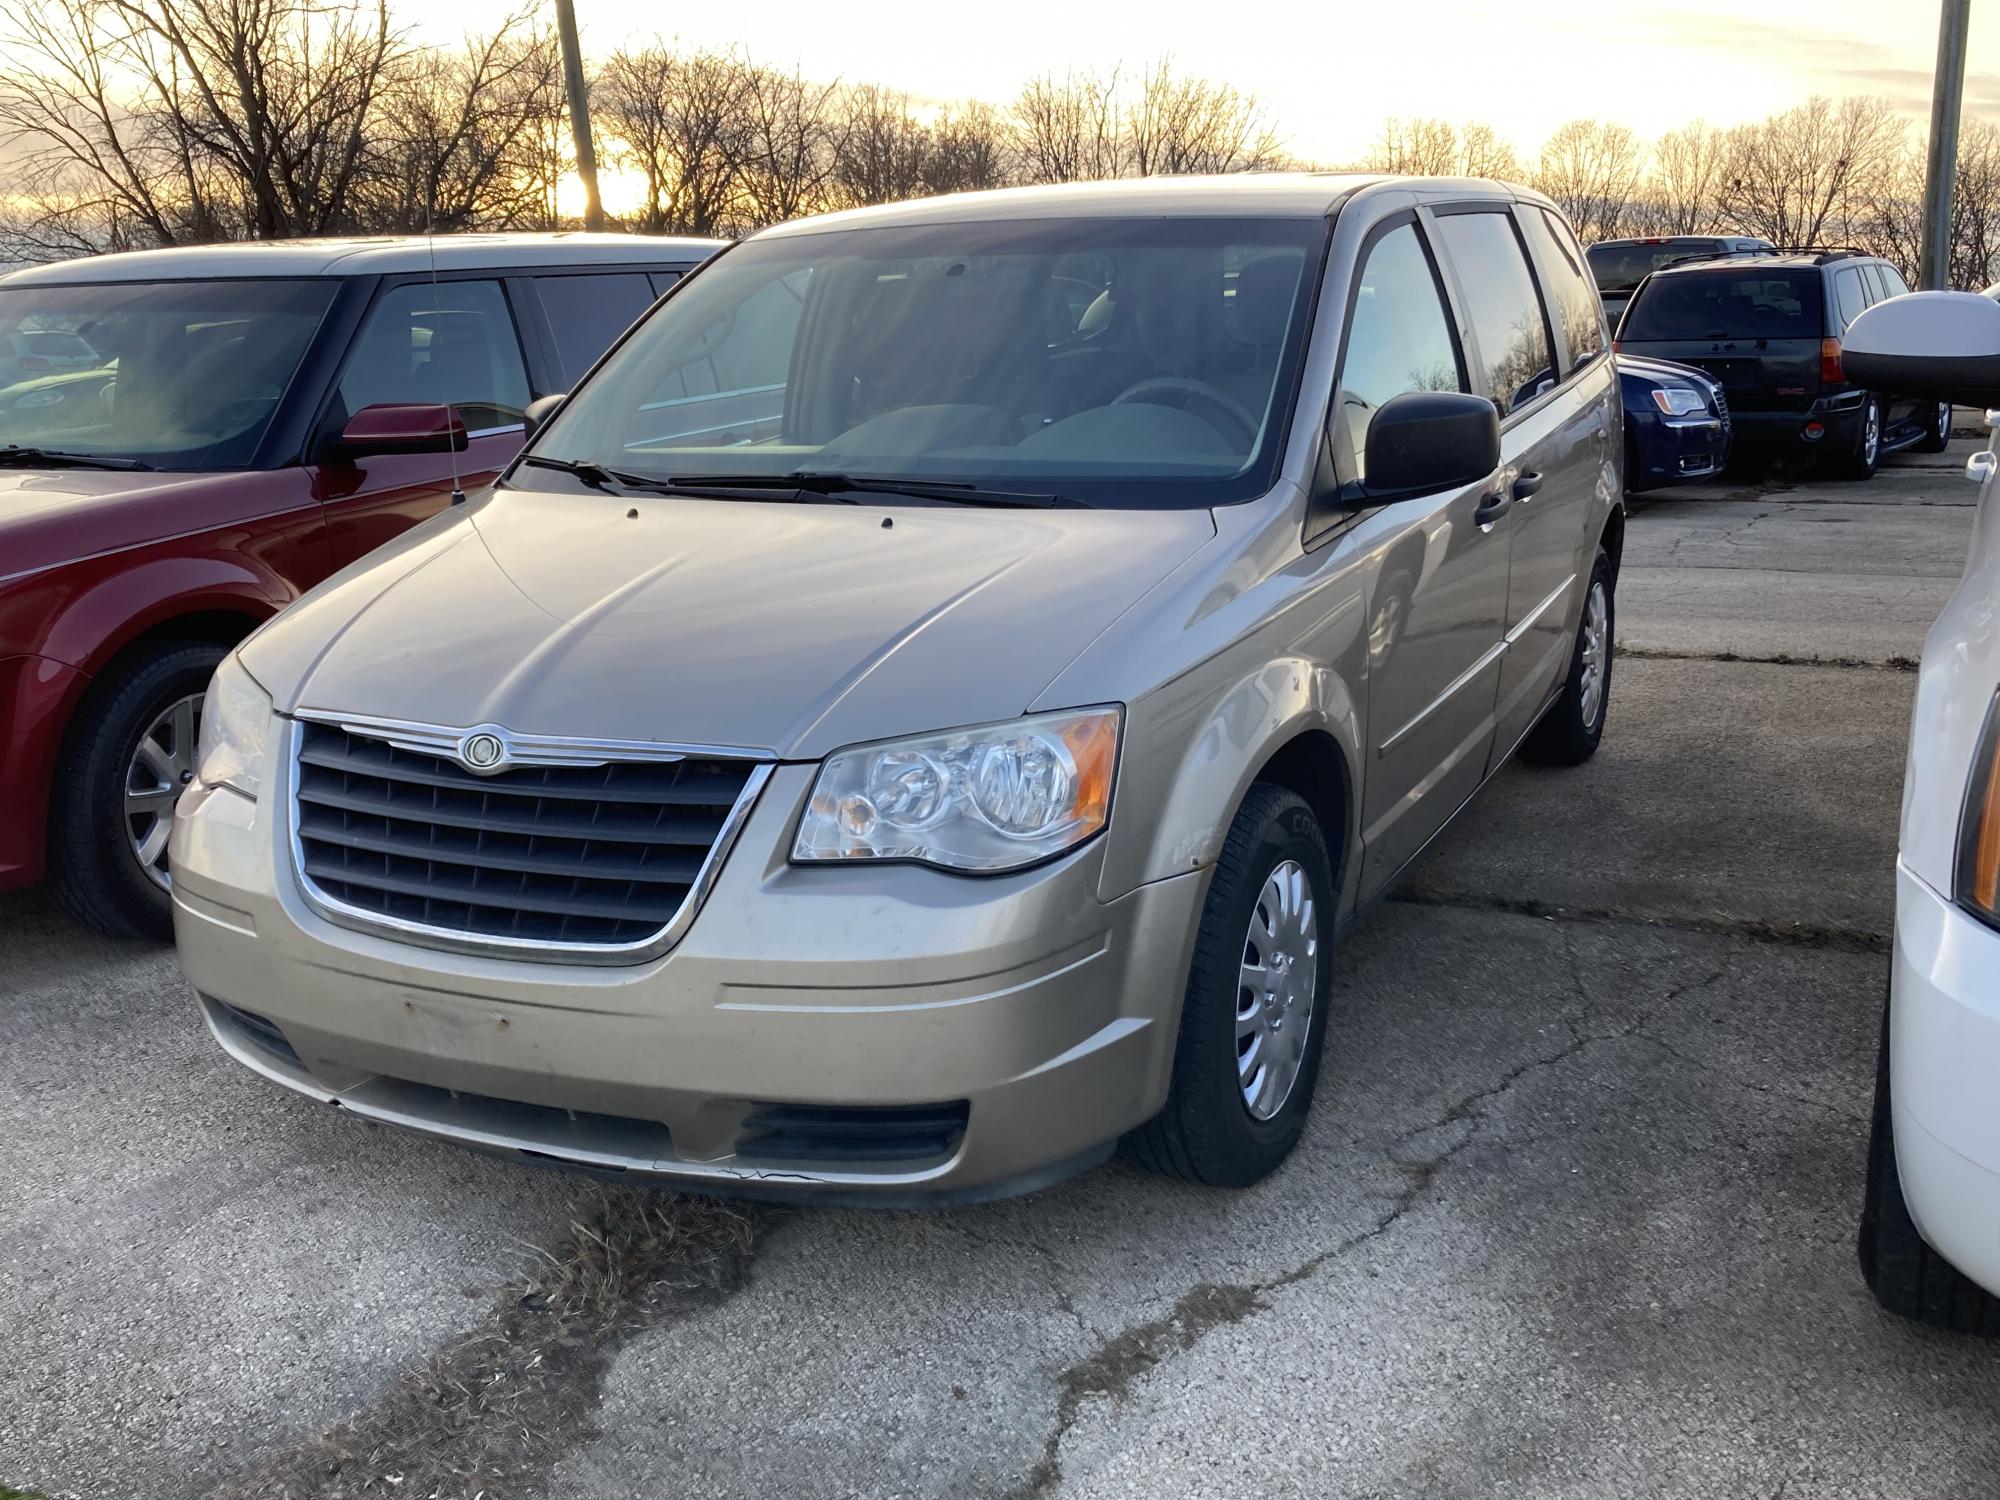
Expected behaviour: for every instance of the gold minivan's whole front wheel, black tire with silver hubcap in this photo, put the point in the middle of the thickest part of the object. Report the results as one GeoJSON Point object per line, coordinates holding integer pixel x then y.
{"type": "Point", "coordinates": [1257, 1007]}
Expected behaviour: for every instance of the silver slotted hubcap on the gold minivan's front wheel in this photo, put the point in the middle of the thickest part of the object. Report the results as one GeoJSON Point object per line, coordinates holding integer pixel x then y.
{"type": "Point", "coordinates": [1281, 973]}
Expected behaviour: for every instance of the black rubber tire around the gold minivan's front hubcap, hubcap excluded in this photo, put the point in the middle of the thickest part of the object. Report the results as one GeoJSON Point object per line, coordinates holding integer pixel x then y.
{"type": "Point", "coordinates": [1207, 1133]}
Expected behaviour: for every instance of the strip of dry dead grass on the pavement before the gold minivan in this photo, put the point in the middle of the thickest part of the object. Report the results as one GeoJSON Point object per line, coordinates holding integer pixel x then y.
{"type": "Point", "coordinates": [493, 1413]}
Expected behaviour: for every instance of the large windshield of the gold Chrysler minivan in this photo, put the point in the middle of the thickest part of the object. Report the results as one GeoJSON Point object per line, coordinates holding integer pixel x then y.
{"type": "Point", "coordinates": [1107, 361]}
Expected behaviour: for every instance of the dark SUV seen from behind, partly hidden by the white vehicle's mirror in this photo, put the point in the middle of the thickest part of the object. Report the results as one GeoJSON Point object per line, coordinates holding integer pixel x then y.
{"type": "Point", "coordinates": [1769, 329]}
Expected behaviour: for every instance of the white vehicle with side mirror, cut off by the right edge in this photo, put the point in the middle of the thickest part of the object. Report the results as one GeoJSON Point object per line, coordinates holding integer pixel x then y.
{"type": "Point", "coordinates": [1931, 1223]}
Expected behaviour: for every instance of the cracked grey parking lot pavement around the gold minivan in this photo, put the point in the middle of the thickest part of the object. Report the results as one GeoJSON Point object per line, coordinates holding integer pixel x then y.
{"type": "Point", "coordinates": [1575, 1213]}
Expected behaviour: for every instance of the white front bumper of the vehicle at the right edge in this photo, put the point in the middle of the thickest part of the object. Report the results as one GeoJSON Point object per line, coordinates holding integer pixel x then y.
{"type": "Point", "coordinates": [1945, 1077]}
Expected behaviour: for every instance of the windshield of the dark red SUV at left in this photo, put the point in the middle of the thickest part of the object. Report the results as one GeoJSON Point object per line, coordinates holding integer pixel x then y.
{"type": "Point", "coordinates": [169, 375]}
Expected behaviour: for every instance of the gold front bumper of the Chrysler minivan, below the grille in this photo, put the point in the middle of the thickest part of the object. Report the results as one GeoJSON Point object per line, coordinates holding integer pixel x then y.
{"type": "Point", "coordinates": [913, 1035]}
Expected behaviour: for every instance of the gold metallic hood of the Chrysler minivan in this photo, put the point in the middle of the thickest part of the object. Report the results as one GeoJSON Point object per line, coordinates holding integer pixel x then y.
{"type": "Point", "coordinates": [775, 627]}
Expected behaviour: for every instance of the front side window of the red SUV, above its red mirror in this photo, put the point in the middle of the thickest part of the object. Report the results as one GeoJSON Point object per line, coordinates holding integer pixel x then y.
{"type": "Point", "coordinates": [449, 345]}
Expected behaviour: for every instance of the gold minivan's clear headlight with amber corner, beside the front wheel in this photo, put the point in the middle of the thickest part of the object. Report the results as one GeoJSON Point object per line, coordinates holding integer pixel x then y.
{"type": "Point", "coordinates": [987, 799]}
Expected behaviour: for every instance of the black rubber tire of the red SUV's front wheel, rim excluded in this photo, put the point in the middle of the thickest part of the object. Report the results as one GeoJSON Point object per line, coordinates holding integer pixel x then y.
{"type": "Point", "coordinates": [95, 873]}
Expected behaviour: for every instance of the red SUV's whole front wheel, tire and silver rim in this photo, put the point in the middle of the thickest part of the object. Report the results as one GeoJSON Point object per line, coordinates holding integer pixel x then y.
{"type": "Point", "coordinates": [127, 761]}
